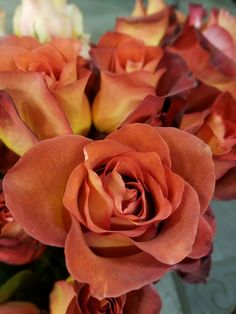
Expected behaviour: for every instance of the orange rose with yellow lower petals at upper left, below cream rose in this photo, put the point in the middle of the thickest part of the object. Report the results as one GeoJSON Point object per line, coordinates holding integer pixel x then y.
{"type": "Point", "coordinates": [48, 94]}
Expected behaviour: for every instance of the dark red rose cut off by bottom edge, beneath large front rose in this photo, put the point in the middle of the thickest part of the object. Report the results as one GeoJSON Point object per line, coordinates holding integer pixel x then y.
{"type": "Point", "coordinates": [145, 300]}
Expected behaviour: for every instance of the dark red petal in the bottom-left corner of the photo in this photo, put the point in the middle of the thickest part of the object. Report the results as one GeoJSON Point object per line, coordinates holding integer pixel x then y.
{"type": "Point", "coordinates": [19, 308]}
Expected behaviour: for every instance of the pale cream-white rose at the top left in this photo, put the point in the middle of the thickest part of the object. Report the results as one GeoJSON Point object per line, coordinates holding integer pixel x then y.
{"type": "Point", "coordinates": [45, 19]}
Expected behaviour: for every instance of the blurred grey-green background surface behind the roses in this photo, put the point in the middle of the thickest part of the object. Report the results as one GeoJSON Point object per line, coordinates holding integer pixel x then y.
{"type": "Point", "coordinates": [218, 296]}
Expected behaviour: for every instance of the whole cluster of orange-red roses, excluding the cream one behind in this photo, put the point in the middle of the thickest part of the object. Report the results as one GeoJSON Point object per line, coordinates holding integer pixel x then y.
{"type": "Point", "coordinates": [116, 155]}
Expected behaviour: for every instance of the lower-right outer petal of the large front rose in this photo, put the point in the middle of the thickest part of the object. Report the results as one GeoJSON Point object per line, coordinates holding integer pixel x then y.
{"type": "Point", "coordinates": [176, 237]}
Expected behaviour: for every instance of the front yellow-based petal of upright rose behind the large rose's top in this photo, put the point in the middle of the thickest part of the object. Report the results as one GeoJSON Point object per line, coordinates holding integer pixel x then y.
{"type": "Point", "coordinates": [119, 95]}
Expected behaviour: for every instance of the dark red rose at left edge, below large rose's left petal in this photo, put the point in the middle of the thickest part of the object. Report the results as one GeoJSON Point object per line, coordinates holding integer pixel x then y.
{"type": "Point", "coordinates": [16, 247]}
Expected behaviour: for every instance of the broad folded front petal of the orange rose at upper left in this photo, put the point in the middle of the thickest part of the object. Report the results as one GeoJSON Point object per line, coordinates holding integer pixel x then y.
{"type": "Point", "coordinates": [36, 106]}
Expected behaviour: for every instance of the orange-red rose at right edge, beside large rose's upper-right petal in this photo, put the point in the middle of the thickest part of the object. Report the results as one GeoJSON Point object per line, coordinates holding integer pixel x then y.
{"type": "Point", "coordinates": [214, 122]}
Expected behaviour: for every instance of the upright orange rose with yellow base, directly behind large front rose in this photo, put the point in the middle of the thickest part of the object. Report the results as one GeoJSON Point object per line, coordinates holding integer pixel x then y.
{"type": "Point", "coordinates": [129, 66]}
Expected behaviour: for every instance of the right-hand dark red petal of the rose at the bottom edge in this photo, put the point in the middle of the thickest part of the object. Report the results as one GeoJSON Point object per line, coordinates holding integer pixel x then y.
{"type": "Point", "coordinates": [145, 300]}
